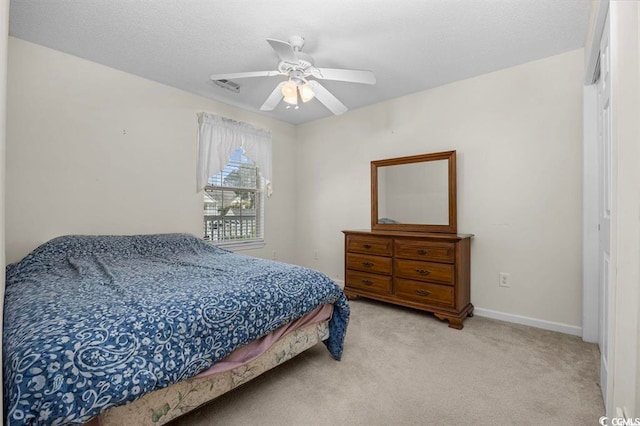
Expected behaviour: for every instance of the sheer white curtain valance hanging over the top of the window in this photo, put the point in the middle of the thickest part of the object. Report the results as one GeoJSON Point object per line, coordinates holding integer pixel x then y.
{"type": "Point", "coordinates": [218, 137]}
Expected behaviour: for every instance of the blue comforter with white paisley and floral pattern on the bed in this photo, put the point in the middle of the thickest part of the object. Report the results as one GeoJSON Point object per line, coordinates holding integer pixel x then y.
{"type": "Point", "coordinates": [95, 322]}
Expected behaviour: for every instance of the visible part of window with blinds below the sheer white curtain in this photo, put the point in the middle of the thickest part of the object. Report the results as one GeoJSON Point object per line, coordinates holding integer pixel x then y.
{"type": "Point", "coordinates": [233, 207]}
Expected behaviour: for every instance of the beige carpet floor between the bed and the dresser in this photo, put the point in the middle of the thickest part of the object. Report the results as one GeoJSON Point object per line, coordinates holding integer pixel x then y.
{"type": "Point", "coordinates": [404, 367]}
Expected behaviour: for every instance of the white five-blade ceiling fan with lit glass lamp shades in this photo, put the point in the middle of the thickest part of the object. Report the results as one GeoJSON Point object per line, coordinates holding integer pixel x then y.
{"type": "Point", "coordinates": [299, 67]}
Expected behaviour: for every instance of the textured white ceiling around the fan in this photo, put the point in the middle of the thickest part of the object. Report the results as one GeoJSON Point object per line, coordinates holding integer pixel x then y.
{"type": "Point", "coordinates": [410, 45]}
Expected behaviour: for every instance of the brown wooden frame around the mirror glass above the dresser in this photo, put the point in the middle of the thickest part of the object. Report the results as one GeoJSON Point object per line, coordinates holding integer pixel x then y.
{"type": "Point", "coordinates": [451, 227]}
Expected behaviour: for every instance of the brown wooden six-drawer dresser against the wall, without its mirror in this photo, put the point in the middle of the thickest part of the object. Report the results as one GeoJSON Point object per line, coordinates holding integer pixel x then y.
{"type": "Point", "coordinates": [427, 271]}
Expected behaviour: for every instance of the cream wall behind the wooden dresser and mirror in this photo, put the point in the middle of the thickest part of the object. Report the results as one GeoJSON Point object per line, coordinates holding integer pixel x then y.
{"type": "Point", "coordinates": [518, 136]}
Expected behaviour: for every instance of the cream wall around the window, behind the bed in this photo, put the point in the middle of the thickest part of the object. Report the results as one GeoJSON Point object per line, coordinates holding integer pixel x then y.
{"type": "Point", "coordinates": [92, 150]}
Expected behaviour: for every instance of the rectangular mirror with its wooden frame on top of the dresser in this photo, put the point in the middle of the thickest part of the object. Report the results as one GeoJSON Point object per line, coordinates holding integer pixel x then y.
{"type": "Point", "coordinates": [416, 193]}
